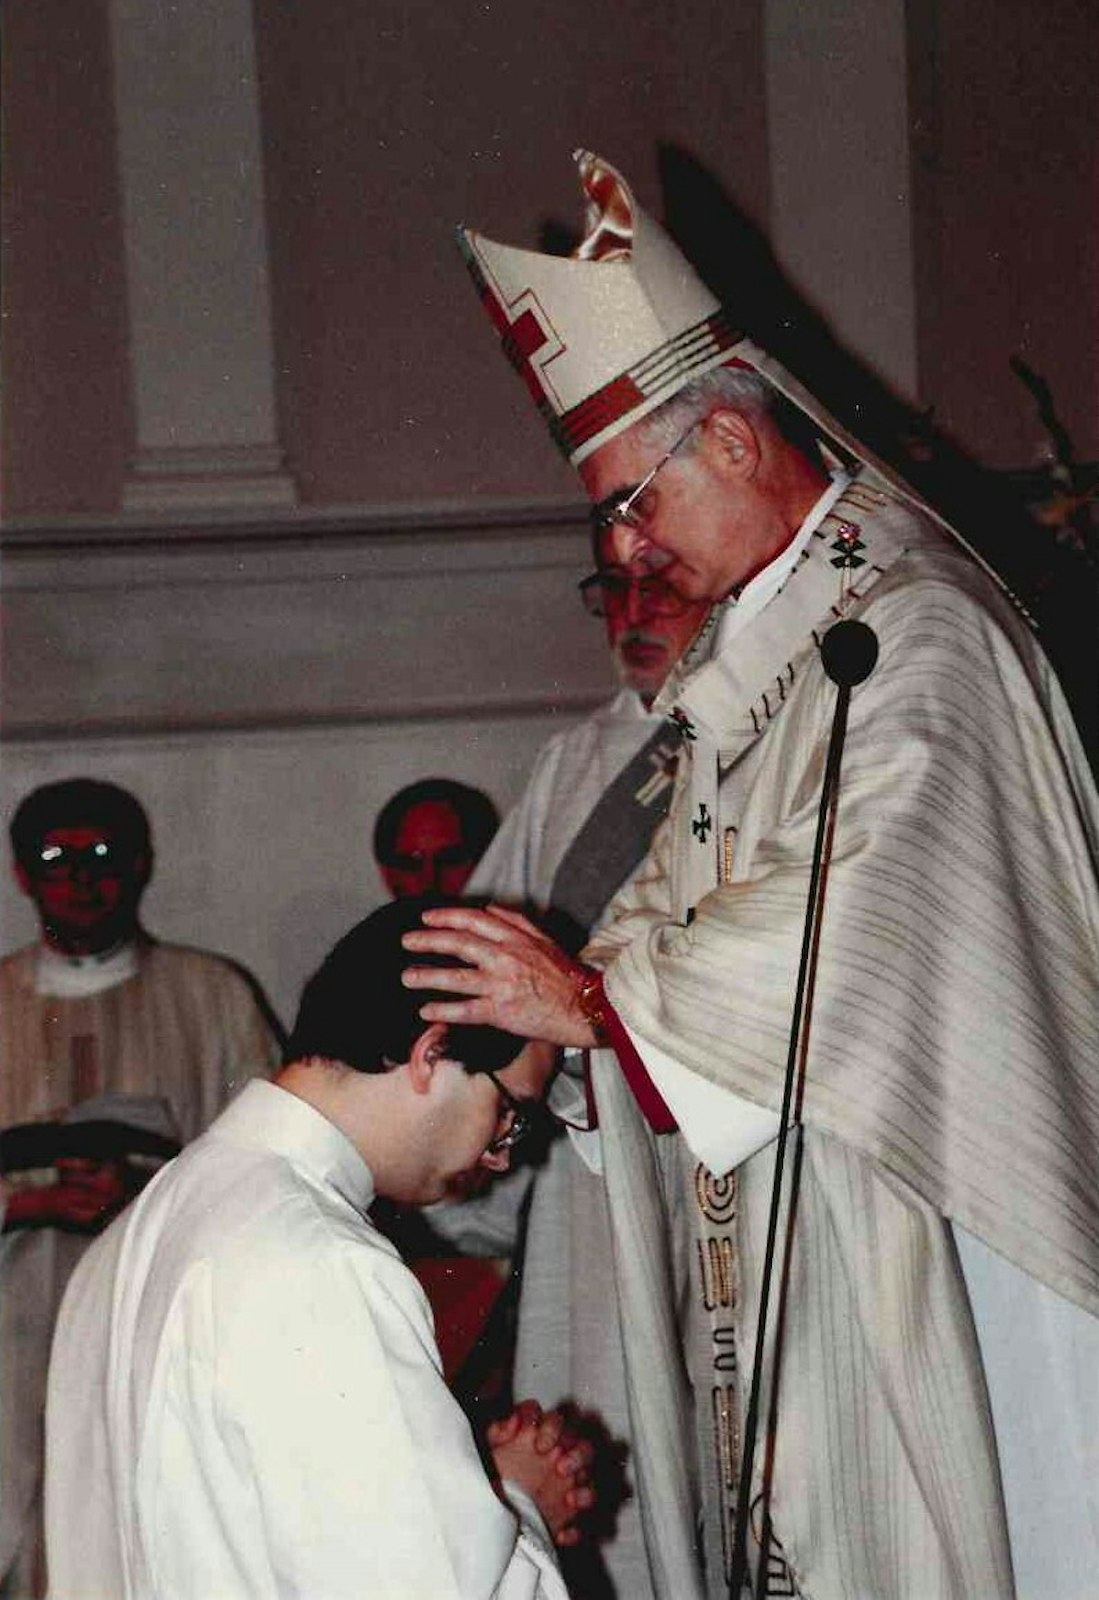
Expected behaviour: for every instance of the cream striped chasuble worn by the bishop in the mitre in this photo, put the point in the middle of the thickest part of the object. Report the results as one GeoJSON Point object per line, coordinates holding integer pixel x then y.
{"type": "Point", "coordinates": [954, 1052]}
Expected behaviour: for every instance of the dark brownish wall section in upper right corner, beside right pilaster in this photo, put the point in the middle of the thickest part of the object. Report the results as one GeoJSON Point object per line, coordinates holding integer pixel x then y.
{"type": "Point", "coordinates": [1005, 138]}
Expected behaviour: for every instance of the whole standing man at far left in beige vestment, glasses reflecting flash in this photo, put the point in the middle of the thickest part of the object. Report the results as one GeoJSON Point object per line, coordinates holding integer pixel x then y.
{"type": "Point", "coordinates": [95, 1009]}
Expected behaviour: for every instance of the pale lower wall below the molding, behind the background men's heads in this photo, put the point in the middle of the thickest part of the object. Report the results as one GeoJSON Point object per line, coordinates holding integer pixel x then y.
{"type": "Point", "coordinates": [263, 839]}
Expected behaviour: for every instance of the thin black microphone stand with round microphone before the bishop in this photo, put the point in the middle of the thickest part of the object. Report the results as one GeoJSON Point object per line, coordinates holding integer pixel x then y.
{"type": "Point", "coordinates": [849, 654]}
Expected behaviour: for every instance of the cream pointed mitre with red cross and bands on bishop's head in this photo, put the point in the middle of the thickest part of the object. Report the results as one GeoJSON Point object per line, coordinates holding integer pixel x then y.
{"type": "Point", "coordinates": [609, 334]}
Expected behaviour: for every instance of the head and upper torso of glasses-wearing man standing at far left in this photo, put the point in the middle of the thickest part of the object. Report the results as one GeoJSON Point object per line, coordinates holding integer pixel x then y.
{"type": "Point", "coordinates": [98, 1004]}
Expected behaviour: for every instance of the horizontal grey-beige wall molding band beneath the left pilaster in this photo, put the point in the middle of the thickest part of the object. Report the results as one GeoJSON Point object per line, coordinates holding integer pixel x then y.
{"type": "Point", "coordinates": [143, 631]}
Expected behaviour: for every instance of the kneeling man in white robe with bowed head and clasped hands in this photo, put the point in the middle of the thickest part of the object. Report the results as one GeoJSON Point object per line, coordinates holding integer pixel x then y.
{"type": "Point", "coordinates": [246, 1394]}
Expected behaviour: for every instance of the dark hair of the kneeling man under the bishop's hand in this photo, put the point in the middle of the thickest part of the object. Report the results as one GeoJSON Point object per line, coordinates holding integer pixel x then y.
{"type": "Point", "coordinates": [356, 1009]}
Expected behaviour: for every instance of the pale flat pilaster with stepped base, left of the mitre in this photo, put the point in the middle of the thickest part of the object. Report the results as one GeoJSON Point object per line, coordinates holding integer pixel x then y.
{"type": "Point", "coordinates": [201, 330]}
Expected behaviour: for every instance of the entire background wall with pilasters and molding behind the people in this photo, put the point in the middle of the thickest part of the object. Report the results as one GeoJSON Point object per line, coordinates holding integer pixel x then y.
{"type": "Point", "coordinates": [265, 673]}
